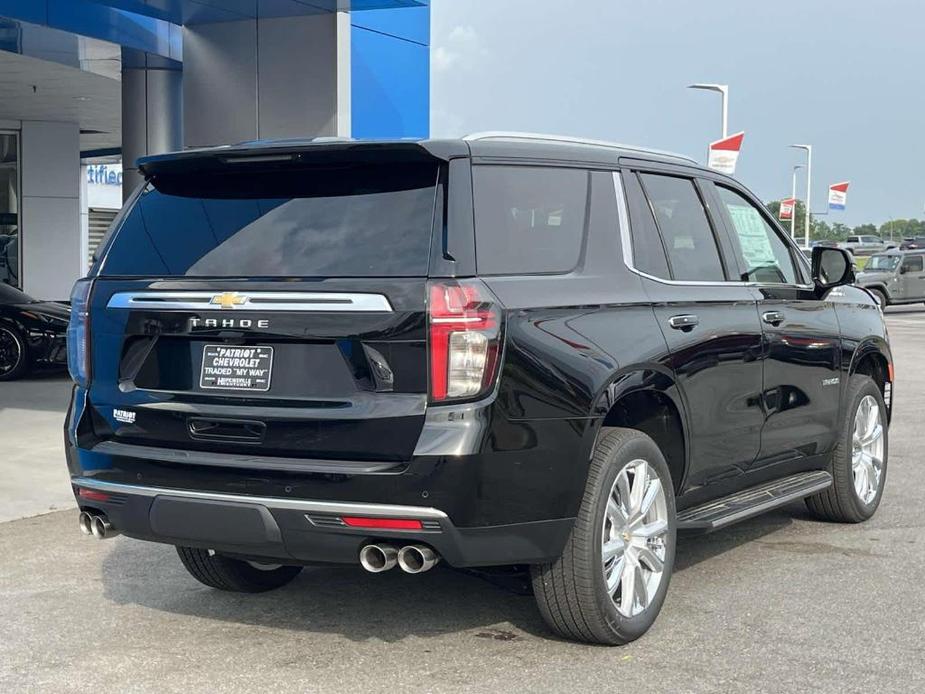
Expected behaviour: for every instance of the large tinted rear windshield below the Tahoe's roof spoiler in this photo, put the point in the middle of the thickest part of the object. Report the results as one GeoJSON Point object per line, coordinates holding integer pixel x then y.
{"type": "Point", "coordinates": [345, 221]}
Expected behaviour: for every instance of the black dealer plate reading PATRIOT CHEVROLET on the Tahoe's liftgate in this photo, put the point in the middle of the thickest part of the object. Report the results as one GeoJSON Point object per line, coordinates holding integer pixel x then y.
{"type": "Point", "coordinates": [235, 376]}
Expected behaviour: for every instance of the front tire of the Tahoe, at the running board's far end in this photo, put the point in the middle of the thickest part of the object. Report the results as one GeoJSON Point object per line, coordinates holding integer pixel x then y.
{"type": "Point", "coordinates": [841, 502]}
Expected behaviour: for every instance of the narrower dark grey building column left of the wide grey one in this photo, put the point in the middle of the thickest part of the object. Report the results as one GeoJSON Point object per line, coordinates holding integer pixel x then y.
{"type": "Point", "coordinates": [152, 111]}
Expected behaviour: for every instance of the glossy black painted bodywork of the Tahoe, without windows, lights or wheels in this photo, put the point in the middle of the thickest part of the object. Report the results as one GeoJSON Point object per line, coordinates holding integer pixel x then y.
{"type": "Point", "coordinates": [754, 402]}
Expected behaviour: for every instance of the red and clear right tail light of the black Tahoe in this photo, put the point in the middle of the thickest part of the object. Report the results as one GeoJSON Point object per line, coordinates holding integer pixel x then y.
{"type": "Point", "coordinates": [464, 345]}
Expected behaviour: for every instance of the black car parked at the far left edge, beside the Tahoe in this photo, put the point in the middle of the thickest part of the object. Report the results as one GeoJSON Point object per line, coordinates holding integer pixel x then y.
{"type": "Point", "coordinates": [32, 333]}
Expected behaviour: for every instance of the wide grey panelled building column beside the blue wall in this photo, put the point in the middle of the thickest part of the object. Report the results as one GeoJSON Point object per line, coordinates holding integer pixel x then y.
{"type": "Point", "coordinates": [275, 77]}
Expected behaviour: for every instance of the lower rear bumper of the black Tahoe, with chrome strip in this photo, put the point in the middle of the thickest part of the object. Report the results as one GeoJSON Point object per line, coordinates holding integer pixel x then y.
{"type": "Point", "coordinates": [305, 531]}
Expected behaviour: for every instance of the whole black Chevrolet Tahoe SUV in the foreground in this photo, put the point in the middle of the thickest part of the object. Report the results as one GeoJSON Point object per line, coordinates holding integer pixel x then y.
{"type": "Point", "coordinates": [503, 350]}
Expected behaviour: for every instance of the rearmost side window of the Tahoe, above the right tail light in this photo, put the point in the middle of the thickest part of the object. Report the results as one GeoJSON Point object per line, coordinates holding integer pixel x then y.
{"type": "Point", "coordinates": [529, 219]}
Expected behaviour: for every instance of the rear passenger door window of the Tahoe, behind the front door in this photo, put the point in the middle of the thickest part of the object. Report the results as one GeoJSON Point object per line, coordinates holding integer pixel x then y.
{"type": "Point", "coordinates": [689, 241]}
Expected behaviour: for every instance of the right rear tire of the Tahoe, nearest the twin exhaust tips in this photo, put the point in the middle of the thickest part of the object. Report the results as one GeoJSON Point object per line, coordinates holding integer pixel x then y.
{"type": "Point", "coordinates": [571, 592]}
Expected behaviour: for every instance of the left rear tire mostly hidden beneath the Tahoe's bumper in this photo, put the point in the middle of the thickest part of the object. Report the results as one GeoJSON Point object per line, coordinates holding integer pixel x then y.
{"type": "Point", "coordinates": [235, 575]}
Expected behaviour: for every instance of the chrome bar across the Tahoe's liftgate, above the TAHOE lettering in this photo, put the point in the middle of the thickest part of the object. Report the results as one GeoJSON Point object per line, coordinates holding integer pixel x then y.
{"type": "Point", "coordinates": [252, 301]}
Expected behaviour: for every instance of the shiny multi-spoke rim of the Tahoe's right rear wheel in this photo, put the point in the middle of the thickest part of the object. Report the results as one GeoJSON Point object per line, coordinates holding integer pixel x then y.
{"type": "Point", "coordinates": [633, 541]}
